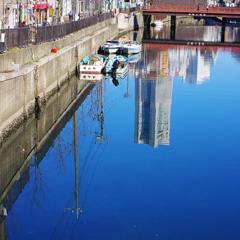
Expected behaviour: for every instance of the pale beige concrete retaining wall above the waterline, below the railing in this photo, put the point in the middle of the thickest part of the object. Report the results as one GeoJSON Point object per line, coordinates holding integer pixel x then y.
{"type": "Point", "coordinates": [45, 74]}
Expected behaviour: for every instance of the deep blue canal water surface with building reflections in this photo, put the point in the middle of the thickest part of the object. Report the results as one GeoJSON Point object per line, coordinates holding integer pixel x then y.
{"type": "Point", "coordinates": [154, 155]}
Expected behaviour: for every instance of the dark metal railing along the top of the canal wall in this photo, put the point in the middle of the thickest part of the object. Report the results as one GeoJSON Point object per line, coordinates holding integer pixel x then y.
{"type": "Point", "coordinates": [21, 37]}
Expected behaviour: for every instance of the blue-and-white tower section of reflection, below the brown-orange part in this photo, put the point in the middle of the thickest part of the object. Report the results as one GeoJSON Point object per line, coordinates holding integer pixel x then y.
{"type": "Point", "coordinates": [153, 110]}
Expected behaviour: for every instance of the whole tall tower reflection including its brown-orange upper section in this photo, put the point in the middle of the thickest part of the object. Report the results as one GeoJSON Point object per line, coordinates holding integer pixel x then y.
{"type": "Point", "coordinates": [153, 93]}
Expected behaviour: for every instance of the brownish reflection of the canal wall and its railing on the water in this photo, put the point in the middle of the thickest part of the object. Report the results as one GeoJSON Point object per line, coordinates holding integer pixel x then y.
{"type": "Point", "coordinates": [35, 136]}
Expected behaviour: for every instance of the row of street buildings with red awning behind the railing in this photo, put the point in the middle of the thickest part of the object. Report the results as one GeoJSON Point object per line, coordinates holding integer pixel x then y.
{"type": "Point", "coordinates": [18, 13]}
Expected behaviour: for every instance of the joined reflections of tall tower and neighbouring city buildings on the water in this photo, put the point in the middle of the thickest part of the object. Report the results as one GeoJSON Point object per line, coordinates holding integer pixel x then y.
{"type": "Point", "coordinates": [154, 85]}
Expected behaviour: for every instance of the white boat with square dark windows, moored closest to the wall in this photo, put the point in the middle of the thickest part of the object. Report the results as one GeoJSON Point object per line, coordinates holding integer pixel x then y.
{"type": "Point", "coordinates": [93, 64]}
